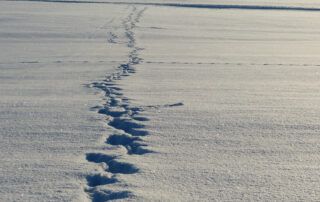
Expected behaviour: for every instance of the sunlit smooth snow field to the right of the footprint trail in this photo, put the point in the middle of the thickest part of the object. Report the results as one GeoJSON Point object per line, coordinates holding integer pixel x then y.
{"type": "Point", "coordinates": [248, 129]}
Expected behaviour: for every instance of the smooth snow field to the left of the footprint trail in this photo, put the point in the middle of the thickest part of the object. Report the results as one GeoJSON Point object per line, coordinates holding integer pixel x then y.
{"type": "Point", "coordinates": [49, 52]}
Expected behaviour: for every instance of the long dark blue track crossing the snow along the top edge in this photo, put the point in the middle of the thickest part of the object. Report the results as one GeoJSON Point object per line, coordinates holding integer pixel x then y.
{"type": "Point", "coordinates": [186, 5]}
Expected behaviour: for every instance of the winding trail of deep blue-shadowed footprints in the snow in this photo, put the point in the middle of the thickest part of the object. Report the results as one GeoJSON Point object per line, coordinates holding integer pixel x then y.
{"type": "Point", "coordinates": [123, 118]}
